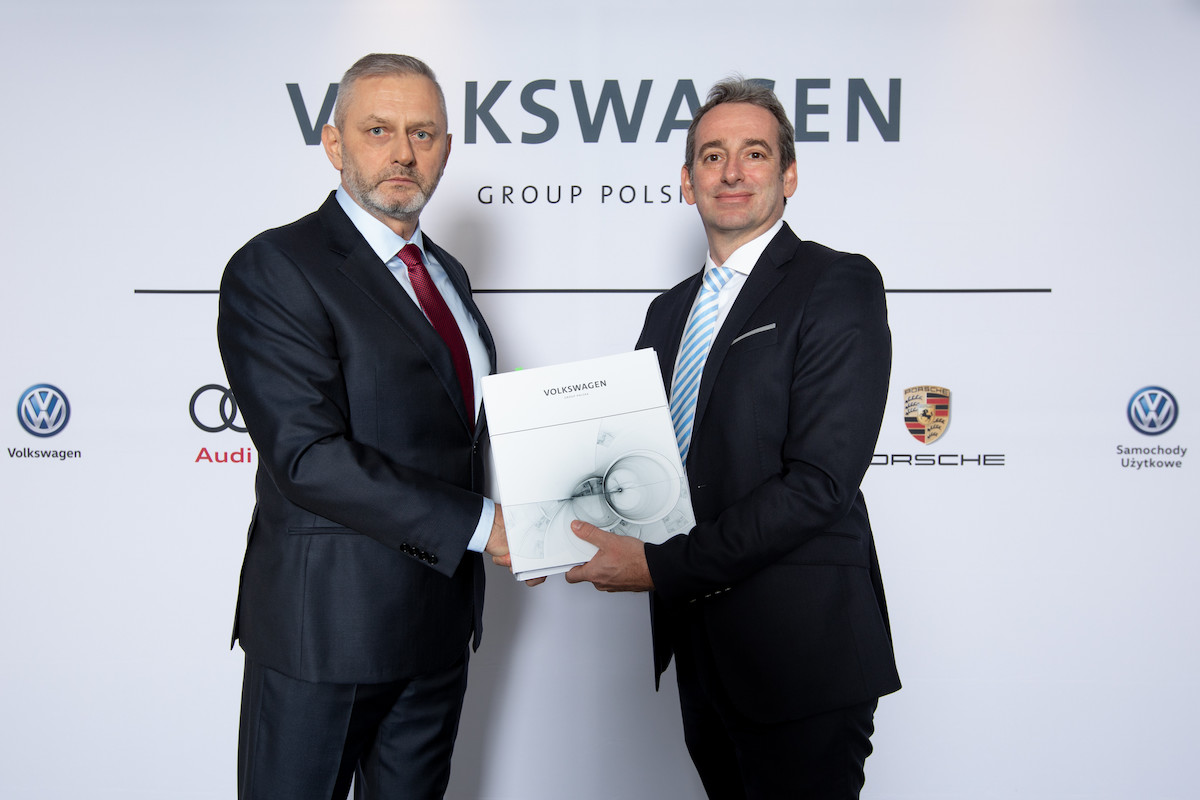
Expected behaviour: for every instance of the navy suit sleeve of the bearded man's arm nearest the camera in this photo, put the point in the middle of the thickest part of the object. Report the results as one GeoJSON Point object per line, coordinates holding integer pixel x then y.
{"type": "Point", "coordinates": [284, 365]}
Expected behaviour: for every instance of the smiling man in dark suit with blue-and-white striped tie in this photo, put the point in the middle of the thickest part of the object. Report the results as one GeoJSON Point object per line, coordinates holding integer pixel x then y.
{"type": "Point", "coordinates": [773, 605]}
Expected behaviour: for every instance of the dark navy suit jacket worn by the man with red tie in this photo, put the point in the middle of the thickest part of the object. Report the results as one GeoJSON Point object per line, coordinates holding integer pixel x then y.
{"type": "Point", "coordinates": [369, 477]}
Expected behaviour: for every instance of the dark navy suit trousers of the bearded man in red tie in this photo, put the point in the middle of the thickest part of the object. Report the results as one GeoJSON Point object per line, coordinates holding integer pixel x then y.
{"type": "Point", "coordinates": [305, 742]}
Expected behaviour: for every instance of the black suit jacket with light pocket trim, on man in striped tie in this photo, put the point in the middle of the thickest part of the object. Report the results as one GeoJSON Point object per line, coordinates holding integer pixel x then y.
{"type": "Point", "coordinates": [781, 568]}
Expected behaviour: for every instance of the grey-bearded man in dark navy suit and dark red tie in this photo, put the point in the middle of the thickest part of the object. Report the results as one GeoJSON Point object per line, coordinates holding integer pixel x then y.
{"type": "Point", "coordinates": [355, 350]}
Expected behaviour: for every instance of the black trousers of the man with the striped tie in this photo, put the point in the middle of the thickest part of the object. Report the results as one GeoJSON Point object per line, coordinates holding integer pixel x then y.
{"type": "Point", "coordinates": [820, 757]}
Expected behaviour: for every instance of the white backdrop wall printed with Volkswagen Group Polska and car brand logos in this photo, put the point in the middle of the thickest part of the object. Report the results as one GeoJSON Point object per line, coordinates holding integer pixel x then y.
{"type": "Point", "coordinates": [1043, 603]}
